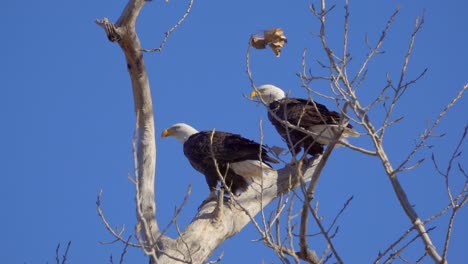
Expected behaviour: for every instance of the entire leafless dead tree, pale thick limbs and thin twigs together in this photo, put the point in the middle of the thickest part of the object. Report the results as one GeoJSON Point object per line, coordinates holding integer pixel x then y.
{"type": "Point", "coordinates": [206, 232]}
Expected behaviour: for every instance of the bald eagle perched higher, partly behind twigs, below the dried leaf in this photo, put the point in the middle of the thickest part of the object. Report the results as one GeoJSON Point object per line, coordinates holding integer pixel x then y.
{"type": "Point", "coordinates": [306, 114]}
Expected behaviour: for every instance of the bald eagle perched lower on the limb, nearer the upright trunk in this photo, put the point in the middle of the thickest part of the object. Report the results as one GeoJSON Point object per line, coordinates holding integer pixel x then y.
{"type": "Point", "coordinates": [239, 160]}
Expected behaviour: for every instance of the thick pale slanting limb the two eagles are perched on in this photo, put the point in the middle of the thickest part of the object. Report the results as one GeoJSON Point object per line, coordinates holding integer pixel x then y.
{"type": "Point", "coordinates": [203, 235]}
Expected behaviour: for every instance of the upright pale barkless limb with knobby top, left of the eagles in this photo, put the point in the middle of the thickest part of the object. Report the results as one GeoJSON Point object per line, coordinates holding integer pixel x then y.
{"type": "Point", "coordinates": [123, 32]}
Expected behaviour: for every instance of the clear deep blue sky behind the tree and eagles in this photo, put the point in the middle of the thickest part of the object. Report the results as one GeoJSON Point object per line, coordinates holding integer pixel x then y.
{"type": "Point", "coordinates": [67, 114]}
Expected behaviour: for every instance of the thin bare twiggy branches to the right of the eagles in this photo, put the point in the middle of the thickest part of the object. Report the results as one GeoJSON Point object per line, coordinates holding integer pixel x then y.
{"type": "Point", "coordinates": [344, 89]}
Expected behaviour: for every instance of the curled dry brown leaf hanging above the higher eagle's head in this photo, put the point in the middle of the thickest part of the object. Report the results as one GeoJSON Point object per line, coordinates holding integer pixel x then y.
{"type": "Point", "coordinates": [274, 38]}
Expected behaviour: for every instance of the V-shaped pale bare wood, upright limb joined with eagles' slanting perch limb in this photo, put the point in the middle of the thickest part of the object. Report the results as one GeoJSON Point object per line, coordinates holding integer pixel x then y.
{"type": "Point", "coordinates": [203, 235]}
